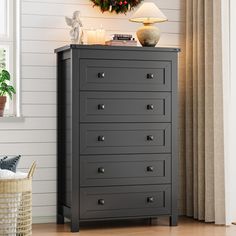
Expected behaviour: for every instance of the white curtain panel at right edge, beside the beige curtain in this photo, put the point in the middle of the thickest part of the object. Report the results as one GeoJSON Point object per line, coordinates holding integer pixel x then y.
{"type": "Point", "coordinates": [229, 87]}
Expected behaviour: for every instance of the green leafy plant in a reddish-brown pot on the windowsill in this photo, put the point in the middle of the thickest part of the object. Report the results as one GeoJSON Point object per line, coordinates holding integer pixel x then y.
{"type": "Point", "coordinates": [5, 89]}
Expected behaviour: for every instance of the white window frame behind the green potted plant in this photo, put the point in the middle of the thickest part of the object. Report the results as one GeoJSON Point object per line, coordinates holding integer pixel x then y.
{"type": "Point", "coordinates": [11, 41]}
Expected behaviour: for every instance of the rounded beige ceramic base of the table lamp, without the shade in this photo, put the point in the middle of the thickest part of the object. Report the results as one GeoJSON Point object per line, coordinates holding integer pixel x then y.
{"type": "Point", "coordinates": [148, 35]}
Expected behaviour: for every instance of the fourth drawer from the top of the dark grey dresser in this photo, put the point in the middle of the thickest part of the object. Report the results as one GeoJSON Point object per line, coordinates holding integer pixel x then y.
{"type": "Point", "coordinates": [125, 169]}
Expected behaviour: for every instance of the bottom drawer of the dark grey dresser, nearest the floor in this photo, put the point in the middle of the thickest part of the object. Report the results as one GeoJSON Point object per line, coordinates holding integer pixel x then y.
{"type": "Point", "coordinates": [127, 201]}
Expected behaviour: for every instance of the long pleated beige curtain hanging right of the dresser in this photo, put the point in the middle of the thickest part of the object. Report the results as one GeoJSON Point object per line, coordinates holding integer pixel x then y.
{"type": "Point", "coordinates": [202, 194]}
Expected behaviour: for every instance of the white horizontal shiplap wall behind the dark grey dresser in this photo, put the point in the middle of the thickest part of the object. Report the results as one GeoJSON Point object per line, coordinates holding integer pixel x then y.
{"type": "Point", "coordinates": [43, 29]}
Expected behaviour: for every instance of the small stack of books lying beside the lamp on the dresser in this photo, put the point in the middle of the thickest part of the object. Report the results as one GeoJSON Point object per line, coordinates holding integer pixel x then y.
{"type": "Point", "coordinates": [122, 40]}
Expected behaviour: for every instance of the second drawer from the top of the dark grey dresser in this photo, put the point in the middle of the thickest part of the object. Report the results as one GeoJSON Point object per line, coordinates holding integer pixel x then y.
{"type": "Point", "coordinates": [125, 107]}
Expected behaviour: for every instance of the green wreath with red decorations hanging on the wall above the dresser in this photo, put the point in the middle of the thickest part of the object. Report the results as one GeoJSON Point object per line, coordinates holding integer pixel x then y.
{"type": "Point", "coordinates": [119, 6]}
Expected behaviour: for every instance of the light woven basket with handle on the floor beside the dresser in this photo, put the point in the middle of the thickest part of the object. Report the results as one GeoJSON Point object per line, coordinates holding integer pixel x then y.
{"type": "Point", "coordinates": [16, 205]}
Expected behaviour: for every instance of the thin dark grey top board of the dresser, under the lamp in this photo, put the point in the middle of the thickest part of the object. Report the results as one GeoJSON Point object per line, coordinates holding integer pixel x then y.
{"type": "Point", "coordinates": [126, 48]}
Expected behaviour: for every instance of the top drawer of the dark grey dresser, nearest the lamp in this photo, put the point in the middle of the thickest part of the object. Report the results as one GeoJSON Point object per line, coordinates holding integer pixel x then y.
{"type": "Point", "coordinates": [117, 75]}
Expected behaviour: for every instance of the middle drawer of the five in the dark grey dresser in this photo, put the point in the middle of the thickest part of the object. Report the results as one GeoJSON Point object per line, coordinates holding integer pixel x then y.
{"type": "Point", "coordinates": [125, 138]}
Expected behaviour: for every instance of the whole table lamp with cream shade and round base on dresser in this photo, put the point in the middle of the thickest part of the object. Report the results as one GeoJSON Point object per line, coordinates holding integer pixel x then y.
{"type": "Point", "coordinates": [148, 14]}
